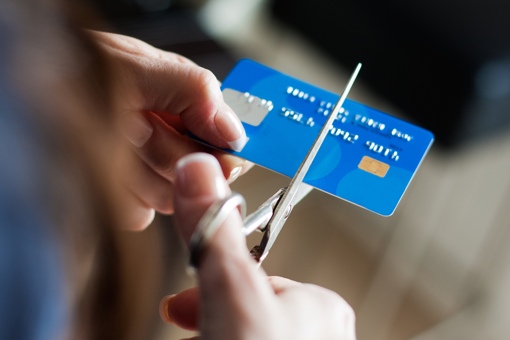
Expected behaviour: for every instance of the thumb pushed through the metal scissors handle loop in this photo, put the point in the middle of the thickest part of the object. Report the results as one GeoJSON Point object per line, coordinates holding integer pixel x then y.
{"type": "Point", "coordinates": [231, 288]}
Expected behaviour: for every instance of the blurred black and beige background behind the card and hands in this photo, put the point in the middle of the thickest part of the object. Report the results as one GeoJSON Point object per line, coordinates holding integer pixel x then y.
{"type": "Point", "coordinates": [439, 268]}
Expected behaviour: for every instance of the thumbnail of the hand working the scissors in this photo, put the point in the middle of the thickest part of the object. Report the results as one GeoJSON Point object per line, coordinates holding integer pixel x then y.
{"type": "Point", "coordinates": [199, 174]}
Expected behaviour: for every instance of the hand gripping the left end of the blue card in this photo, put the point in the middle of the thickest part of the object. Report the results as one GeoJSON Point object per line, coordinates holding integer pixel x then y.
{"type": "Point", "coordinates": [160, 95]}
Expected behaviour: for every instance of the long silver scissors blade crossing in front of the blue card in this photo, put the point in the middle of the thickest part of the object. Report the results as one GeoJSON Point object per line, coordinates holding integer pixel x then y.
{"type": "Point", "coordinates": [284, 206]}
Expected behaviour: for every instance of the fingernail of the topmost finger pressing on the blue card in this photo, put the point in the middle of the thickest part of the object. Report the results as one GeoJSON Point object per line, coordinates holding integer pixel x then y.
{"type": "Point", "coordinates": [231, 129]}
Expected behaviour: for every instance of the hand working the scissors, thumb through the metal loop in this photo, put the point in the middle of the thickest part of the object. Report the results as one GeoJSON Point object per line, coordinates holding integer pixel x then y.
{"type": "Point", "coordinates": [234, 299]}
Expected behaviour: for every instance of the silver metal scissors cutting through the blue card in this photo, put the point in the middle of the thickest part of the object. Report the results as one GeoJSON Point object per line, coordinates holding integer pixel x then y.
{"type": "Point", "coordinates": [270, 217]}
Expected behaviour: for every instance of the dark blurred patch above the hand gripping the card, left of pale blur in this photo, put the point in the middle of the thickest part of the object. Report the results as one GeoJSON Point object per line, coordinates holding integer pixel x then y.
{"type": "Point", "coordinates": [171, 25]}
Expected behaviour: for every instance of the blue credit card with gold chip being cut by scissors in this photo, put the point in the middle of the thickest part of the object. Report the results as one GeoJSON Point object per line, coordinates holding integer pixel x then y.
{"type": "Point", "coordinates": [368, 157]}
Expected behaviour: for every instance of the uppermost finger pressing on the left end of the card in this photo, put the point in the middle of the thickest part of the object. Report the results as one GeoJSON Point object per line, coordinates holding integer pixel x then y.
{"type": "Point", "coordinates": [171, 84]}
